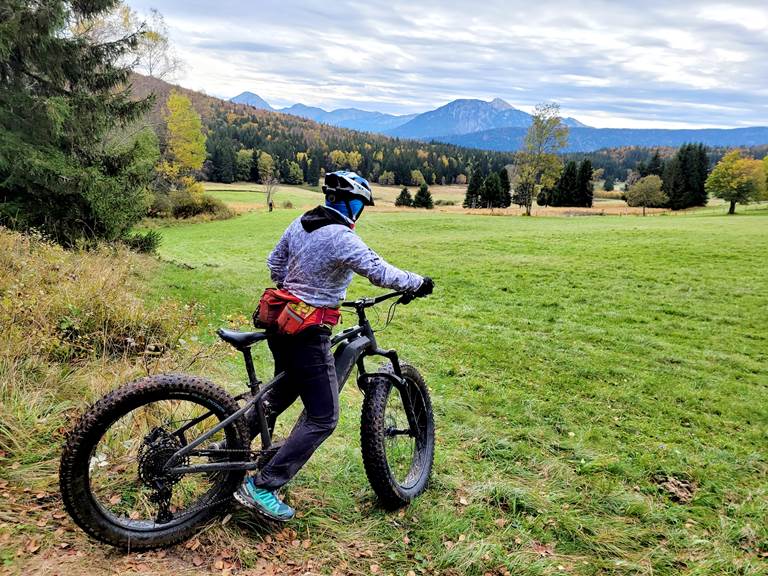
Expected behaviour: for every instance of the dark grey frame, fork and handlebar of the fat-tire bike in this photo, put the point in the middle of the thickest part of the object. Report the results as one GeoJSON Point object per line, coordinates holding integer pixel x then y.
{"type": "Point", "coordinates": [353, 345]}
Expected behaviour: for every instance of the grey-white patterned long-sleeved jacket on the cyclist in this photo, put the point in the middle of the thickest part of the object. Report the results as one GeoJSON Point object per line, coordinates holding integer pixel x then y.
{"type": "Point", "coordinates": [318, 254]}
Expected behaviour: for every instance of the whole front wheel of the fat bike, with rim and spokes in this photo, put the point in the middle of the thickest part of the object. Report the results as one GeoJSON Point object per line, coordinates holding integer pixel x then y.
{"type": "Point", "coordinates": [398, 450]}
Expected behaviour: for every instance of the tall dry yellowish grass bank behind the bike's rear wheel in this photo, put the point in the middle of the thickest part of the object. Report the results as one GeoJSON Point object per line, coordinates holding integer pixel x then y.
{"type": "Point", "coordinates": [72, 326]}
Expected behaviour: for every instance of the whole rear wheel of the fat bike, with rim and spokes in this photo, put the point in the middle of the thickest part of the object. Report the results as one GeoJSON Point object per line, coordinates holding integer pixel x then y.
{"type": "Point", "coordinates": [113, 474]}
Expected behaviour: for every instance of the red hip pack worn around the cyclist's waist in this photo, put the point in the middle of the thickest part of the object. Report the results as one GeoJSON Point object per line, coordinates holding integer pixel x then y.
{"type": "Point", "coordinates": [282, 311]}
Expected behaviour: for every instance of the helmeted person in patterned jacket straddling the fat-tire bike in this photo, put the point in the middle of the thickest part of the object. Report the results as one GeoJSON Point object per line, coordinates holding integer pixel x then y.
{"type": "Point", "coordinates": [314, 263]}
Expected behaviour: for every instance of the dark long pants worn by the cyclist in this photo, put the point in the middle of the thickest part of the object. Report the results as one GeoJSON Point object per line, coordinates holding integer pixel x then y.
{"type": "Point", "coordinates": [311, 376]}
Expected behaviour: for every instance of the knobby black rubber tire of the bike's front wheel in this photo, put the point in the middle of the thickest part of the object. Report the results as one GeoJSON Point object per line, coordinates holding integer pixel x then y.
{"type": "Point", "coordinates": [390, 493]}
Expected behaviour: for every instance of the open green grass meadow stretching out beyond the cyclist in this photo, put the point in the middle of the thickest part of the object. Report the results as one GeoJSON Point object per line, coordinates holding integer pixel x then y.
{"type": "Point", "coordinates": [575, 364]}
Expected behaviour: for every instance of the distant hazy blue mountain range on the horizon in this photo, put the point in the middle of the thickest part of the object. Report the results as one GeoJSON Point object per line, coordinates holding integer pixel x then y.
{"type": "Point", "coordinates": [497, 125]}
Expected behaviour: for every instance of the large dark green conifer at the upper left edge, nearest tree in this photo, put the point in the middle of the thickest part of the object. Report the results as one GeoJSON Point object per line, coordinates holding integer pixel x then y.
{"type": "Point", "coordinates": [61, 97]}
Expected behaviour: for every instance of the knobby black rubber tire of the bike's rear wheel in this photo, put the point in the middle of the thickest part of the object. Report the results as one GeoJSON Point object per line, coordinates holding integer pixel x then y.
{"type": "Point", "coordinates": [81, 441]}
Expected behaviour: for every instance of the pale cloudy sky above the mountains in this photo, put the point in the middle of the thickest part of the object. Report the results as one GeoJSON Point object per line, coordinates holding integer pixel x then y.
{"type": "Point", "coordinates": [648, 63]}
